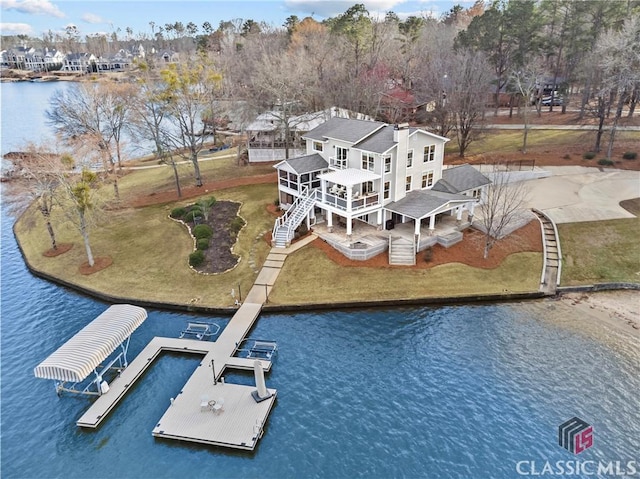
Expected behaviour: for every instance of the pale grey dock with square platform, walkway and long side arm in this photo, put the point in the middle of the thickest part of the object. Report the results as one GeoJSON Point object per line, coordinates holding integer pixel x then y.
{"type": "Point", "coordinates": [237, 420]}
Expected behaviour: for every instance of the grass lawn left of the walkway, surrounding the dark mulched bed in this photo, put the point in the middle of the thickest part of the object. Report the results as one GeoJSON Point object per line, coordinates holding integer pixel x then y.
{"type": "Point", "coordinates": [150, 252]}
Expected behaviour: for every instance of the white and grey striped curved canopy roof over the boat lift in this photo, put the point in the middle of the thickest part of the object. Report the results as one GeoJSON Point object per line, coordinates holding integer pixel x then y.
{"type": "Point", "coordinates": [85, 351]}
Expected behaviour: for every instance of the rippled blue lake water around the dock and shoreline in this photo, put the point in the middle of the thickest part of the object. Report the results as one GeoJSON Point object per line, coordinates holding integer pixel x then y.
{"type": "Point", "coordinates": [447, 392]}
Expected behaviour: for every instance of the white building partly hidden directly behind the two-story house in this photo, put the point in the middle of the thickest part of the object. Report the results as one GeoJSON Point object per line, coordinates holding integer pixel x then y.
{"type": "Point", "coordinates": [269, 138]}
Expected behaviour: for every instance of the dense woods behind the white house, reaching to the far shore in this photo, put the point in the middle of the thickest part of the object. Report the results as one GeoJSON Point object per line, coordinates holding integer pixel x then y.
{"type": "Point", "coordinates": [442, 73]}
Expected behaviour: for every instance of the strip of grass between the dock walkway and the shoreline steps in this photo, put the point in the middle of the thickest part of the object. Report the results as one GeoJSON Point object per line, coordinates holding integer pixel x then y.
{"type": "Point", "coordinates": [309, 276]}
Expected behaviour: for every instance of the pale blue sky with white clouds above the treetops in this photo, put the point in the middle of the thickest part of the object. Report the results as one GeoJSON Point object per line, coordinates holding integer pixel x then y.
{"type": "Point", "coordinates": [35, 17]}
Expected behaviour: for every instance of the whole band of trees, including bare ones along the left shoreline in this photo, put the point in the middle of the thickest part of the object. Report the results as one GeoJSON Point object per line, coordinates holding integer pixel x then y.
{"type": "Point", "coordinates": [453, 64]}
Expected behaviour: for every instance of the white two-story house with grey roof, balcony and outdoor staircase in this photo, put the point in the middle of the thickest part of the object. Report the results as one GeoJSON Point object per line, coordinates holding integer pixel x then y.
{"type": "Point", "coordinates": [375, 174]}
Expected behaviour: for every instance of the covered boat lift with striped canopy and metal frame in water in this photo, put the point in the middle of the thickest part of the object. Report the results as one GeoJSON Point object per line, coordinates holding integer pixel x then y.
{"type": "Point", "coordinates": [83, 354]}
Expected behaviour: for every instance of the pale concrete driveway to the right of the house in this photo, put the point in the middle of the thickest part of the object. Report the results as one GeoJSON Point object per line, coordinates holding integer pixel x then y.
{"type": "Point", "coordinates": [576, 193]}
